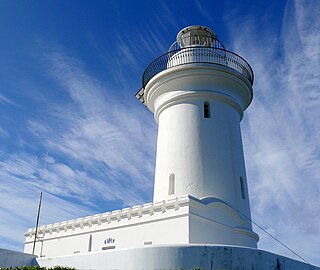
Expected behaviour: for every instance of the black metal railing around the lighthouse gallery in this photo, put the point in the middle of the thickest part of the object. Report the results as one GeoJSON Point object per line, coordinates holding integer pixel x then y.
{"type": "Point", "coordinates": [198, 54]}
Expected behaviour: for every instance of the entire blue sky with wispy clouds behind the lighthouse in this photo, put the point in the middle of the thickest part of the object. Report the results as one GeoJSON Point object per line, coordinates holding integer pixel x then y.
{"type": "Point", "coordinates": [68, 74]}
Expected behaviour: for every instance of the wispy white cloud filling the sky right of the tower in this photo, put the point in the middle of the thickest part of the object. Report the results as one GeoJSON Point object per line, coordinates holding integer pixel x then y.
{"type": "Point", "coordinates": [280, 129]}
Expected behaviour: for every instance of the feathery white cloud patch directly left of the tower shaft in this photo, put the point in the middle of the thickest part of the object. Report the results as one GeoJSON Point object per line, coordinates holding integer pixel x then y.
{"type": "Point", "coordinates": [106, 133]}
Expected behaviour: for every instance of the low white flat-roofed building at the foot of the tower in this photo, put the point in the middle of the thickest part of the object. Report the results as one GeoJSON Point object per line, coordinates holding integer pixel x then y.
{"type": "Point", "coordinates": [183, 220]}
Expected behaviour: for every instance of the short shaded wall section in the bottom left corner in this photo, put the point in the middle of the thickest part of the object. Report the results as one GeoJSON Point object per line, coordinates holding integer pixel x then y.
{"type": "Point", "coordinates": [10, 258]}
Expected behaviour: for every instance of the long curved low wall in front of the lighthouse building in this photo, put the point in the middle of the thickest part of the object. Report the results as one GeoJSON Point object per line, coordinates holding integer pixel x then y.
{"type": "Point", "coordinates": [179, 257]}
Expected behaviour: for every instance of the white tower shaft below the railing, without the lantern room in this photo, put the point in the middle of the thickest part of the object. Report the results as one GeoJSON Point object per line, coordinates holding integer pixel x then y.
{"type": "Point", "coordinates": [205, 155]}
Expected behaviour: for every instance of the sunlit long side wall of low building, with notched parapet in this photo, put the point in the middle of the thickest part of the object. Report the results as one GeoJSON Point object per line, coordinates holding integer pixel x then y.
{"type": "Point", "coordinates": [167, 224]}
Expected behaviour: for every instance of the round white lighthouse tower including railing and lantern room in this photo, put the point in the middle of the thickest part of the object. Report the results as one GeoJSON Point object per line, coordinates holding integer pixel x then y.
{"type": "Point", "coordinates": [198, 92]}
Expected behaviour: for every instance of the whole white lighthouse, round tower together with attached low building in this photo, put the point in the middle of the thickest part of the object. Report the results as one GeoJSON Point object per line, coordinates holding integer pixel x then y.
{"type": "Point", "coordinates": [198, 93]}
